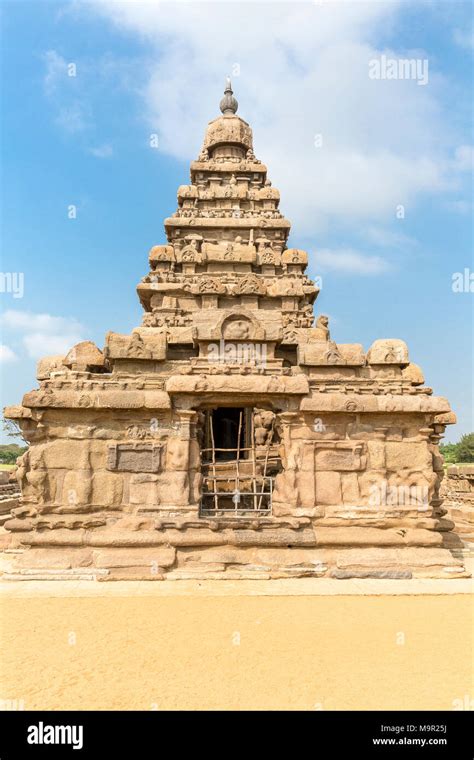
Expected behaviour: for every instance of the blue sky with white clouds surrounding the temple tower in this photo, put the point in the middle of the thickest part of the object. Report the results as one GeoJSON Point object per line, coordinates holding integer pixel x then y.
{"type": "Point", "coordinates": [346, 152]}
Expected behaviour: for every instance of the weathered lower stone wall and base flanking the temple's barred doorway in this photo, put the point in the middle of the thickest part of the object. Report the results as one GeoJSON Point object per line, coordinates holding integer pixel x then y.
{"type": "Point", "coordinates": [117, 496]}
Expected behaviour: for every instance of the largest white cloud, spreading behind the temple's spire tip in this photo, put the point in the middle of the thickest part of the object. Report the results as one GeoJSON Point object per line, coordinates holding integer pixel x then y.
{"type": "Point", "coordinates": [302, 71]}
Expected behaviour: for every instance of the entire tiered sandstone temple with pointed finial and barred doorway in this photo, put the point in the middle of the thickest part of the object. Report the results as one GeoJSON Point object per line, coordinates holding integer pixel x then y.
{"type": "Point", "coordinates": [229, 436]}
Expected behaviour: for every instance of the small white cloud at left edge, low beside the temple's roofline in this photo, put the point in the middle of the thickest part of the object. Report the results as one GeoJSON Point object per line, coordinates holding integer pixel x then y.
{"type": "Point", "coordinates": [43, 334]}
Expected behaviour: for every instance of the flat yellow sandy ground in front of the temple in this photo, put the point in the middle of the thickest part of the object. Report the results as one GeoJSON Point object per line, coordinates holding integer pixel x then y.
{"type": "Point", "coordinates": [246, 645]}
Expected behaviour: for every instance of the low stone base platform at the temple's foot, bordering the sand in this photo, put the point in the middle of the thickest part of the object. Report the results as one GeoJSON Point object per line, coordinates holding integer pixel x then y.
{"type": "Point", "coordinates": [163, 563]}
